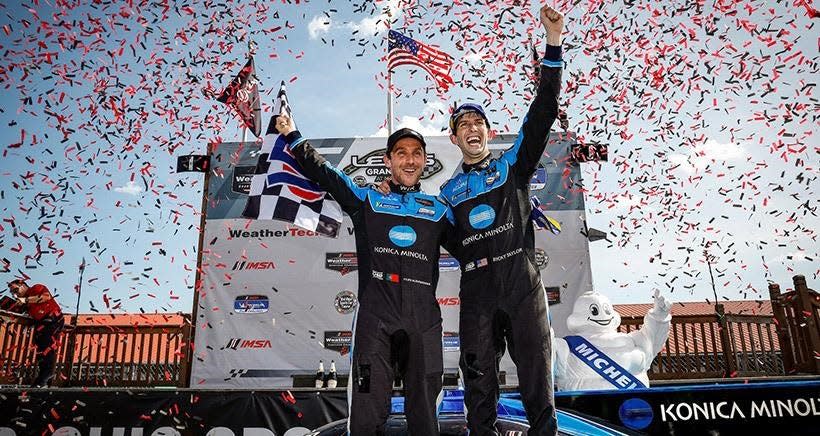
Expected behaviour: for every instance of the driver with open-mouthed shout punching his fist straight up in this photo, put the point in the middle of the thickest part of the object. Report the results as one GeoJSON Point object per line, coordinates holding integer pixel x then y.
{"type": "Point", "coordinates": [503, 301]}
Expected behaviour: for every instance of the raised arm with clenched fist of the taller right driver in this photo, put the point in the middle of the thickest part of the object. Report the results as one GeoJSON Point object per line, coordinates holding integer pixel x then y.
{"type": "Point", "coordinates": [532, 137]}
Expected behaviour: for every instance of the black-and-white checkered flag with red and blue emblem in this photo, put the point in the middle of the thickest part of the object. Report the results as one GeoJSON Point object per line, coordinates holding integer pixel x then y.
{"type": "Point", "coordinates": [280, 191]}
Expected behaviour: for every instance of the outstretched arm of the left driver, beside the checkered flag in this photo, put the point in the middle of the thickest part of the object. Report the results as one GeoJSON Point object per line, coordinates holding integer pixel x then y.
{"type": "Point", "coordinates": [349, 195]}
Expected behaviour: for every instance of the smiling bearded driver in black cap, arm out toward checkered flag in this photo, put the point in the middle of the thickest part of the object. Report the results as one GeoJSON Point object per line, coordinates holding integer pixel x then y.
{"type": "Point", "coordinates": [397, 327]}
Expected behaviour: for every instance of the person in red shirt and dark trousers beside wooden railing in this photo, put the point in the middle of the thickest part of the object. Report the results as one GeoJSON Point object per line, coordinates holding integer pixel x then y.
{"type": "Point", "coordinates": [48, 321]}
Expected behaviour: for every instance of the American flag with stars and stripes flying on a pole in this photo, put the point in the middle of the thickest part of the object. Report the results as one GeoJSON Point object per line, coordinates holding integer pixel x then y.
{"type": "Point", "coordinates": [402, 50]}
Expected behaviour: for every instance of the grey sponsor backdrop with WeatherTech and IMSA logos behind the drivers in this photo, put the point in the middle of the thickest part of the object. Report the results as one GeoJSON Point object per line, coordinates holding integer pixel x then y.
{"type": "Point", "coordinates": [277, 298]}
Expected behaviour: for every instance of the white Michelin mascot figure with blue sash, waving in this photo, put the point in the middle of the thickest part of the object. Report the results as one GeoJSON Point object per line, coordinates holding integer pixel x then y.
{"type": "Point", "coordinates": [596, 322]}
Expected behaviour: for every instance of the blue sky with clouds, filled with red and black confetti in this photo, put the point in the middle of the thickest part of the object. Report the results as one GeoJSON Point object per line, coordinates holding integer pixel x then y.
{"type": "Point", "coordinates": [710, 115]}
